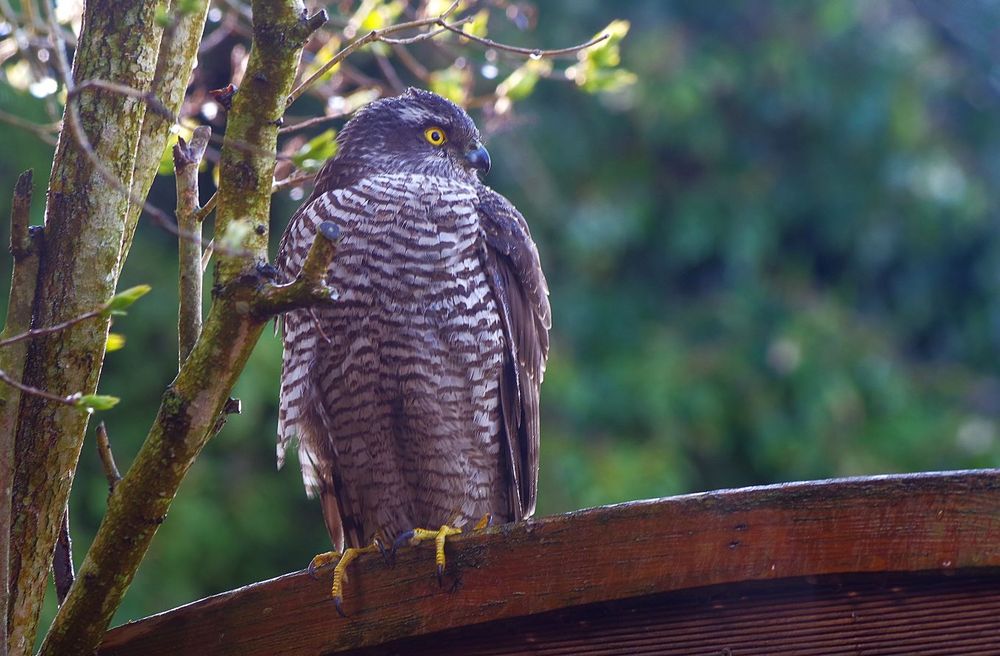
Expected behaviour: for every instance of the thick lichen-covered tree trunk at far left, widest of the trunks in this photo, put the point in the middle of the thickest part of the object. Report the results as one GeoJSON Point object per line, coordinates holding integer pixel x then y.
{"type": "Point", "coordinates": [85, 225]}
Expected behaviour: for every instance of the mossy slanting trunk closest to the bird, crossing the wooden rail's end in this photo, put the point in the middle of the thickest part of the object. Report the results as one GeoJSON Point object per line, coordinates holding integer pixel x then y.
{"type": "Point", "coordinates": [192, 404]}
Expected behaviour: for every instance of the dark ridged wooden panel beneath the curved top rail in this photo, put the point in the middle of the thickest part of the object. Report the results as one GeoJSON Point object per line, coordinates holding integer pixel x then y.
{"type": "Point", "coordinates": [871, 614]}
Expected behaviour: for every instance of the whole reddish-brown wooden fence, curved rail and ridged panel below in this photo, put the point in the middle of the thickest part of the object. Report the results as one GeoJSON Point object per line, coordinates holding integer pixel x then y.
{"type": "Point", "coordinates": [902, 564]}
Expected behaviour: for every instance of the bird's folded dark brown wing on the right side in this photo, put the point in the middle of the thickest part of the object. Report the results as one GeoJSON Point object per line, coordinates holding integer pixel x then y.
{"type": "Point", "coordinates": [522, 295]}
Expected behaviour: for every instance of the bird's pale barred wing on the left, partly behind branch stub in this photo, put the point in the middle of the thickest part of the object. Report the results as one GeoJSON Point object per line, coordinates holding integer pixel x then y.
{"type": "Point", "coordinates": [300, 415]}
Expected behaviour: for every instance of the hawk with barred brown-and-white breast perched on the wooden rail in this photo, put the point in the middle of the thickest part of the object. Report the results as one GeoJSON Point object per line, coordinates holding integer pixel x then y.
{"type": "Point", "coordinates": [414, 396]}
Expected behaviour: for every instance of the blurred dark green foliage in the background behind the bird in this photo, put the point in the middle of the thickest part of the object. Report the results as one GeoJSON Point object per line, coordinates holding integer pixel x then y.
{"type": "Point", "coordinates": [776, 256]}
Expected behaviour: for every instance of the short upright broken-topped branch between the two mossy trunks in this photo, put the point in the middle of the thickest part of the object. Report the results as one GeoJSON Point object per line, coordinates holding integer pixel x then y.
{"type": "Point", "coordinates": [187, 158]}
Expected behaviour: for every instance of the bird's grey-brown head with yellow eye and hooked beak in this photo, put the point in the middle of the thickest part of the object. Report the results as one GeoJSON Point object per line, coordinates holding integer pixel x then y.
{"type": "Point", "coordinates": [416, 132]}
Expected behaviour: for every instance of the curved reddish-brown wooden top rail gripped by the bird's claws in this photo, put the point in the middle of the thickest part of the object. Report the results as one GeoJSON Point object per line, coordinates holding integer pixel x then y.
{"type": "Point", "coordinates": [902, 523]}
